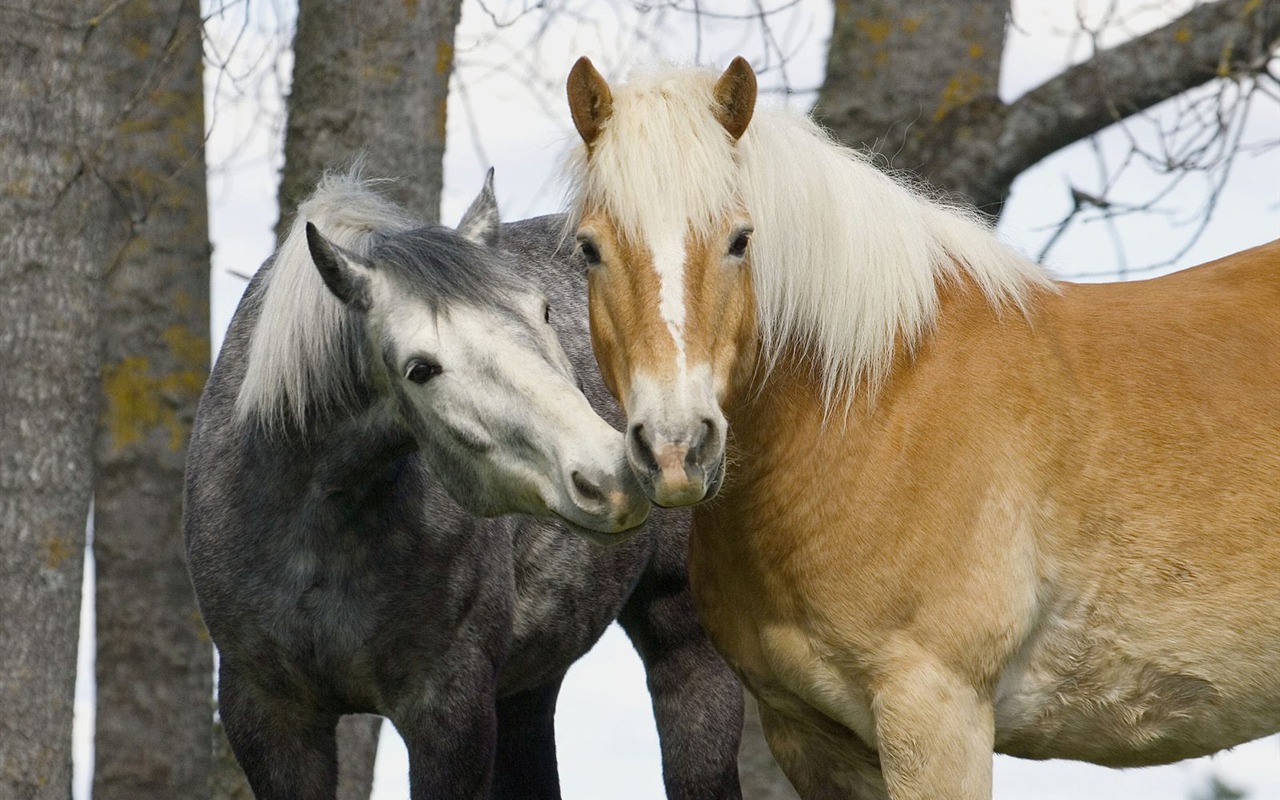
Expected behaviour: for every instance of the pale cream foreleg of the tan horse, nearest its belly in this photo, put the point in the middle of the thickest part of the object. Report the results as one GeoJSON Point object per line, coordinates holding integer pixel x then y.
{"type": "Point", "coordinates": [936, 733]}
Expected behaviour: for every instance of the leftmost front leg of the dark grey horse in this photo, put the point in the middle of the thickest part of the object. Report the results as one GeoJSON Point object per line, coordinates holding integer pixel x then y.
{"type": "Point", "coordinates": [286, 751]}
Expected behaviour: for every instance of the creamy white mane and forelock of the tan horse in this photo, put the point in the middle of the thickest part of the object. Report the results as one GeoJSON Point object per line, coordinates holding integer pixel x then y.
{"type": "Point", "coordinates": [847, 260]}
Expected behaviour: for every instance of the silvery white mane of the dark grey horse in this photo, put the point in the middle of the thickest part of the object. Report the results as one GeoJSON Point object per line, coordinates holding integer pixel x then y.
{"type": "Point", "coordinates": [305, 342]}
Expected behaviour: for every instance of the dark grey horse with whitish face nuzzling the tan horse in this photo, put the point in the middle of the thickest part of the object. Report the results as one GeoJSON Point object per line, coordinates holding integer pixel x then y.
{"type": "Point", "coordinates": [385, 392]}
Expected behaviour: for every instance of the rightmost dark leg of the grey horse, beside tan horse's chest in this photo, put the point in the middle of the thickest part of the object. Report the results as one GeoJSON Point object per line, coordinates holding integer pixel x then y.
{"type": "Point", "coordinates": [697, 700]}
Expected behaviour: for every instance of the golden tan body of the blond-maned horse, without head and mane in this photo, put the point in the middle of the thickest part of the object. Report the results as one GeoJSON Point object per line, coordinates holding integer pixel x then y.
{"type": "Point", "coordinates": [1059, 536]}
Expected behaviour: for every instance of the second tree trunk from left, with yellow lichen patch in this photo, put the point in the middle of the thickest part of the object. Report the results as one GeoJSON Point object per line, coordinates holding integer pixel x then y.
{"type": "Point", "coordinates": [154, 657]}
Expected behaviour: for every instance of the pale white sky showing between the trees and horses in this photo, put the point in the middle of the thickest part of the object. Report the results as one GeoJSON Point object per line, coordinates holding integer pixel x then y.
{"type": "Point", "coordinates": [605, 725]}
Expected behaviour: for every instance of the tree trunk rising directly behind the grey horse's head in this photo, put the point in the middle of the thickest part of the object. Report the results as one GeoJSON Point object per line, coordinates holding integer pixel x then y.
{"type": "Point", "coordinates": [371, 79]}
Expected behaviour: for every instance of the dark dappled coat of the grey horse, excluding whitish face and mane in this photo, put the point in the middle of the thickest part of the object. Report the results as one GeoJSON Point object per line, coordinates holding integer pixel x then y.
{"type": "Point", "coordinates": [337, 577]}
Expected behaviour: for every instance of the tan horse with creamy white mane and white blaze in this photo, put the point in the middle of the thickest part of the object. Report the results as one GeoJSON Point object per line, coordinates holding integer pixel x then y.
{"type": "Point", "coordinates": [970, 509]}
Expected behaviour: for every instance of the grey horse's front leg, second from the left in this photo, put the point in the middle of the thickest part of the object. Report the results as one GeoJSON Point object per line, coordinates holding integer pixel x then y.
{"type": "Point", "coordinates": [451, 733]}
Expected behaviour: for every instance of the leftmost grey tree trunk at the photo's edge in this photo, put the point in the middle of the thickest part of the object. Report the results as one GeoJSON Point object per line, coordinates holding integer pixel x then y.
{"type": "Point", "coordinates": [54, 243]}
